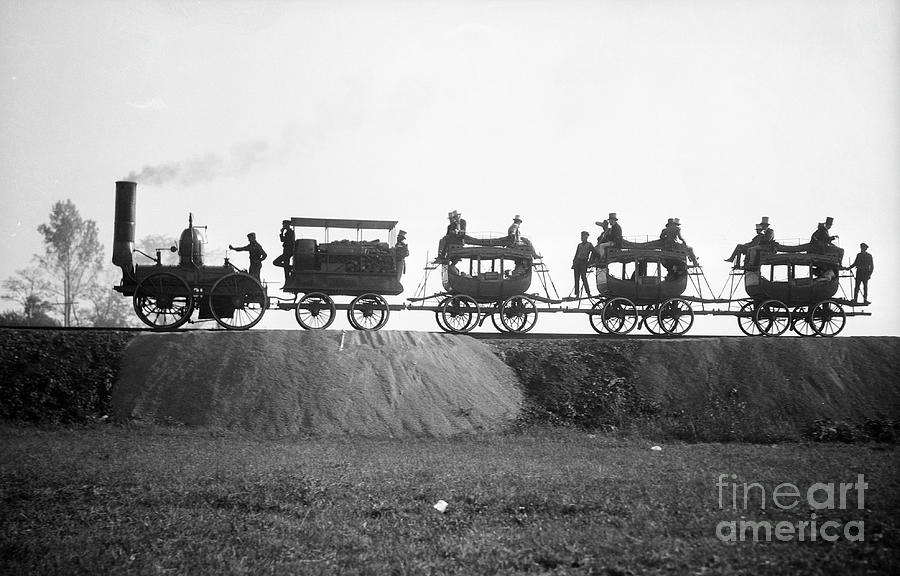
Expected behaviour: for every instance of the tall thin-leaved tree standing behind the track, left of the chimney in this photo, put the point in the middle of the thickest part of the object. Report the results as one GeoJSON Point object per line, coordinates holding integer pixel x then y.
{"type": "Point", "coordinates": [72, 257]}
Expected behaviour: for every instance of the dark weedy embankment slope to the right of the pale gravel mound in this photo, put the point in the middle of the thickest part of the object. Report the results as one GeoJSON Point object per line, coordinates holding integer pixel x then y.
{"type": "Point", "coordinates": [757, 389]}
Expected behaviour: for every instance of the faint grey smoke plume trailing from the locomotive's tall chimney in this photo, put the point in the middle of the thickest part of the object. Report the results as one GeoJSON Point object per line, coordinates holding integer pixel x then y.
{"type": "Point", "coordinates": [204, 168]}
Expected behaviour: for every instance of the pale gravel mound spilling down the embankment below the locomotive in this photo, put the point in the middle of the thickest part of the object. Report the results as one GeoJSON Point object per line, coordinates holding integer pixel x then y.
{"type": "Point", "coordinates": [384, 384]}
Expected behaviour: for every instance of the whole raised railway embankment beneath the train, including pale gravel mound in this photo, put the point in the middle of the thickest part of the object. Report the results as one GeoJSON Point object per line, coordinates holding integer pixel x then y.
{"type": "Point", "coordinates": [418, 384]}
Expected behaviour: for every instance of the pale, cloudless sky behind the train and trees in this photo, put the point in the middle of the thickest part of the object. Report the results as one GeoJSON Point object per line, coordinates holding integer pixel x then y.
{"type": "Point", "coordinates": [245, 113]}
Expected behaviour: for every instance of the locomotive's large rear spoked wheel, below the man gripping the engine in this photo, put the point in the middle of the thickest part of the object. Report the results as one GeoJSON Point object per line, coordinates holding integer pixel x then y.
{"type": "Point", "coordinates": [237, 301]}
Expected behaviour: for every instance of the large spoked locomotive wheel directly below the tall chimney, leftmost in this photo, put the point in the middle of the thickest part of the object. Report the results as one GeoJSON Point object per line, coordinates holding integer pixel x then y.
{"type": "Point", "coordinates": [163, 301]}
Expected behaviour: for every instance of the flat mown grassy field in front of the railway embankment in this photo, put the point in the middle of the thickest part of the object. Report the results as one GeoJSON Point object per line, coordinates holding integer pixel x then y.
{"type": "Point", "coordinates": [111, 499]}
